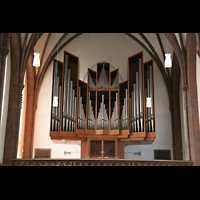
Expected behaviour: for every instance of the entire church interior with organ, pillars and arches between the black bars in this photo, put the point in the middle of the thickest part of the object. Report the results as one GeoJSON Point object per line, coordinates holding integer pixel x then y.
{"type": "Point", "coordinates": [100, 99]}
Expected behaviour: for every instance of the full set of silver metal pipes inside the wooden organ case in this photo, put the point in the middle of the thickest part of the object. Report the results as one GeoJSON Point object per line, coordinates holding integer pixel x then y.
{"type": "Point", "coordinates": [68, 112]}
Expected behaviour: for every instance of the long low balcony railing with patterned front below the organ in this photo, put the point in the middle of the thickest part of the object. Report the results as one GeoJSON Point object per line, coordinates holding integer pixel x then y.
{"type": "Point", "coordinates": [99, 162]}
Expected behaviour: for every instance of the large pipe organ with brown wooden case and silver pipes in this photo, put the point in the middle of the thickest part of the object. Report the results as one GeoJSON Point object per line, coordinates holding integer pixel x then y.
{"type": "Point", "coordinates": [103, 113]}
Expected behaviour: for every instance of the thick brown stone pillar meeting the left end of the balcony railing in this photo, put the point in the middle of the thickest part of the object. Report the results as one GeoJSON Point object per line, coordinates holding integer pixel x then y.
{"type": "Point", "coordinates": [14, 105]}
